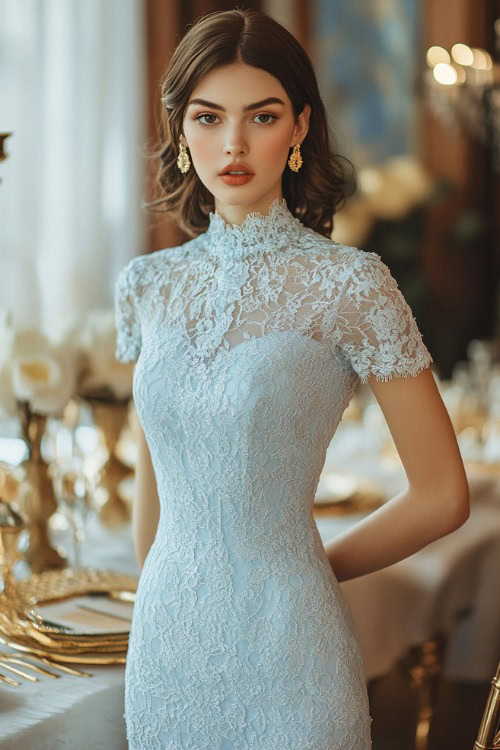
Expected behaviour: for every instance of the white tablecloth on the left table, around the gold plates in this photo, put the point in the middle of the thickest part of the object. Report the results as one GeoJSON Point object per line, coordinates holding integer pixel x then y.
{"type": "Point", "coordinates": [72, 713]}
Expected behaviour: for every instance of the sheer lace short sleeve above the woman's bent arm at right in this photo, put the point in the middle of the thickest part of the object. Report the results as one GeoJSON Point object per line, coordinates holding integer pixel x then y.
{"type": "Point", "coordinates": [375, 328]}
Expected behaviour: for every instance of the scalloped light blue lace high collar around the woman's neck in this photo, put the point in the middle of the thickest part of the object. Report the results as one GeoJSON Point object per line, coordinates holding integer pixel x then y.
{"type": "Point", "coordinates": [258, 233]}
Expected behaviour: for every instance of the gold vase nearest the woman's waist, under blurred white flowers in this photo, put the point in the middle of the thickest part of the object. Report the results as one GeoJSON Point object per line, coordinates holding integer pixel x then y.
{"type": "Point", "coordinates": [110, 417]}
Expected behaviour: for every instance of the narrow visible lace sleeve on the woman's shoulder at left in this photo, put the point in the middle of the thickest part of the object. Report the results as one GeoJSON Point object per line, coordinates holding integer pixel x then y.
{"type": "Point", "coordinates": [127, 321]}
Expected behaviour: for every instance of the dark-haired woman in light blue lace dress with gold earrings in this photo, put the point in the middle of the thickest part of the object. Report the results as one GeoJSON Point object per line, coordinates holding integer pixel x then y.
{"type": "Point", "coordinates": [253, 336]}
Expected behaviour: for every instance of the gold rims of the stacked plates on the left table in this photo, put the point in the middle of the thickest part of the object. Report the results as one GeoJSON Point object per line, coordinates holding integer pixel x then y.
{"type": "Point", "coordinates": [25, 630]}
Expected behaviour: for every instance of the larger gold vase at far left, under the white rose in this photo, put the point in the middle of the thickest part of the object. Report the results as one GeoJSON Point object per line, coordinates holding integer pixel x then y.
{"type": "Point", "coordinates": [37, 500]}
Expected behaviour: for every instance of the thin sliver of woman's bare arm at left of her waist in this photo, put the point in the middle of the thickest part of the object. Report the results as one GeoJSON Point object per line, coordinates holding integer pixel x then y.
{"type": "Point", "coordinates": [146, 506]}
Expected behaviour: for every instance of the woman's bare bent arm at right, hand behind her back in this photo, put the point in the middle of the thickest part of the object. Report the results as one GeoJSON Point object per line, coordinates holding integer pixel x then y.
{"type": "Point", "coordinates": [436, 501]}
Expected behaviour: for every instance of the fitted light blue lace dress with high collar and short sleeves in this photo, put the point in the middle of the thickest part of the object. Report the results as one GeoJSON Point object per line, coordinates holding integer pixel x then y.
{"type": "Point", "coordinates": [250, 341]}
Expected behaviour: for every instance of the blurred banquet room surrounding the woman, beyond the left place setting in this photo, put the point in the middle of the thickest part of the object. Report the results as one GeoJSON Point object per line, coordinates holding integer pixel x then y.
{"type": "Point", "coordinates": [412, 89]}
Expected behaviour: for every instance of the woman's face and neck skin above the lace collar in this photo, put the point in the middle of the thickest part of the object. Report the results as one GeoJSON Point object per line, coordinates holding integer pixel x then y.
{"type": "Point", "coordinates": [228, 127]}
